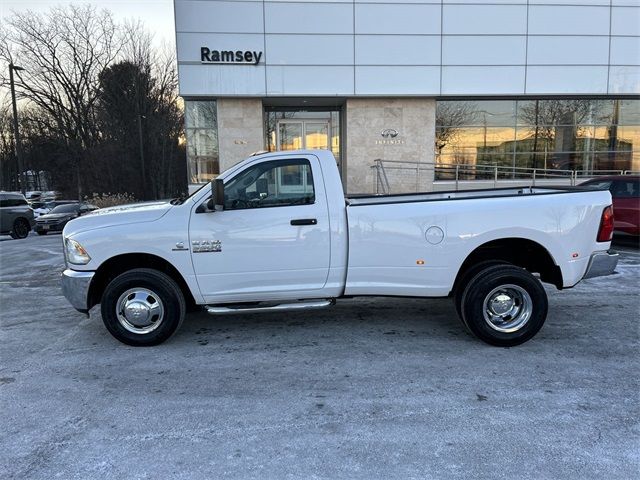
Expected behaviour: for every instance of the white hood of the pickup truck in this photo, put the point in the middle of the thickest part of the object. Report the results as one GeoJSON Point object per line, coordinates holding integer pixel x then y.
{"type": "Point", "coordinates": [121, 215]}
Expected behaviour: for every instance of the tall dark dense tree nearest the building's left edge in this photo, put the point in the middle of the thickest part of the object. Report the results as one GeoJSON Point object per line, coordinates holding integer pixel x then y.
{"type": "Point", "coordinates": [140, 108]}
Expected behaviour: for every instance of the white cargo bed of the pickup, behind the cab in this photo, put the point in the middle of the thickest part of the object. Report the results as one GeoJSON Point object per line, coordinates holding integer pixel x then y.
{"type": "Point", "coordinates": [415, 242]}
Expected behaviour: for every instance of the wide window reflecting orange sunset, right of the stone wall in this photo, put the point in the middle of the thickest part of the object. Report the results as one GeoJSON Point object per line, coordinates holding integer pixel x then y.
{"type": "Point", "coordinates": [552, 134]}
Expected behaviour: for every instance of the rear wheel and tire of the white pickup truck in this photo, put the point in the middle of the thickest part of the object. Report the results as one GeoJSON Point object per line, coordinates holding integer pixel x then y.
{"type": "Point", "coordinates": [504, 305]}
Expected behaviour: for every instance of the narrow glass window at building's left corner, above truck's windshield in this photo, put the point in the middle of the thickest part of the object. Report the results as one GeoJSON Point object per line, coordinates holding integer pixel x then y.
{"type": "Point", "coordinates": [201, 129]}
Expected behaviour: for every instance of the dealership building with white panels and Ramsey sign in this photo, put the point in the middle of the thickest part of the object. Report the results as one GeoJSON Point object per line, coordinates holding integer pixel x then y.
{"type": "Point", "coordinates": [414, 92]}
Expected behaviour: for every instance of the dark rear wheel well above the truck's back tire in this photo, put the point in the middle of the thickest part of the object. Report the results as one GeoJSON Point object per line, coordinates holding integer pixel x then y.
{"type": "Point", "coordinates": [518, 251]}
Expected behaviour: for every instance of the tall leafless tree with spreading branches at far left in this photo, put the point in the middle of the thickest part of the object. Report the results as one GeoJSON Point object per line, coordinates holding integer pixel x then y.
{"type": "Point", "coordinates": [63, 53]}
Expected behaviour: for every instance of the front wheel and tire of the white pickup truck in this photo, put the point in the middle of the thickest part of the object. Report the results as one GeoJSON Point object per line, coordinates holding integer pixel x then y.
{"type": "Point", "coordinates": [142, 307]}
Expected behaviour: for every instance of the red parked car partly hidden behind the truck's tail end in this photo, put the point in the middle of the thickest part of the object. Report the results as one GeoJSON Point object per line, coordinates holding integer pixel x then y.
{"type": "Point", "coordinates": [625, 192]}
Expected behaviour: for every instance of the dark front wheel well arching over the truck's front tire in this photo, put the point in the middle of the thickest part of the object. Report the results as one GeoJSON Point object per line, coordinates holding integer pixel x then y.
{"type": "Point", "coordinates": [122, 263]}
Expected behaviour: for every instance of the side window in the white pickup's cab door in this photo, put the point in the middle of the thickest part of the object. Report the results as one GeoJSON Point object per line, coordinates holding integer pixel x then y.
{"type": "Point", "coordinates": [271, 184]}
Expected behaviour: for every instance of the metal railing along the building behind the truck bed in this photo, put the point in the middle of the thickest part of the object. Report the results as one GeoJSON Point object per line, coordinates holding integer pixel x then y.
{"type": "Point", "coordinates": [410, 176]}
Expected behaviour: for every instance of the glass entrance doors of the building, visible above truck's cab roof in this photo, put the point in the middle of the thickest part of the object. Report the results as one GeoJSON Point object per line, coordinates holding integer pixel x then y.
{"type": "Point", "coordinates": [303, 134]}
